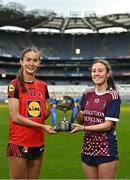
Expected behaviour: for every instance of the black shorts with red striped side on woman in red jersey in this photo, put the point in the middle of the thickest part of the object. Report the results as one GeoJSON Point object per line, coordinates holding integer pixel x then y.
{"type": "Point", "coordinates": [25, 152]}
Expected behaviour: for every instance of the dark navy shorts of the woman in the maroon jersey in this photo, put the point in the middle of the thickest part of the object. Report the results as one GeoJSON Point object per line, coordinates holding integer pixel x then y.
{"type": "Point", "coordinates": [94, 161]}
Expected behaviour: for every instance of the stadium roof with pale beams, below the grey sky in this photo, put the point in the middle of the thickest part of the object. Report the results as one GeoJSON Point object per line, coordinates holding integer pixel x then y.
{"type": "Point", "coordinates": [29, 20]}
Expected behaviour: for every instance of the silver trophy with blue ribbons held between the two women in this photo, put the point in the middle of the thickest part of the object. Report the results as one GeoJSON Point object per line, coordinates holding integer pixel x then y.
{"type": "Point", "coordinates": [64, 104]}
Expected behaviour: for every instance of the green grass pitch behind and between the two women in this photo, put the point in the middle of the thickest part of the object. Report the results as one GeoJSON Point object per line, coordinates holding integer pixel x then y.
{"type": "Point", "coordinates": [62, 152]}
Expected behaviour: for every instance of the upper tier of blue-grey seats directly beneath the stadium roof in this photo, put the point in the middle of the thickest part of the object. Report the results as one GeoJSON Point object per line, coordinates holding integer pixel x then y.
{"type": "Point", "coordinates": [67, 46]}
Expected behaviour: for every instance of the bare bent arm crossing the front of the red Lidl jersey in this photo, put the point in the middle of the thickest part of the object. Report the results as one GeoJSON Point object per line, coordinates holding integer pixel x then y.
{"type": "Point", "coordinates": [19, 119]}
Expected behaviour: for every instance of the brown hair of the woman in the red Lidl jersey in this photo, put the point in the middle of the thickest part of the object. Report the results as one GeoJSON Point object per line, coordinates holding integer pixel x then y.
{"type": "Point", "coordinates": [20, 72]}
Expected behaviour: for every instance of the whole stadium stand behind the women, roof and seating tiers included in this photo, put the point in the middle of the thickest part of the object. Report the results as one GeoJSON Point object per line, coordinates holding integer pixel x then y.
{"type": "Point", "coordinates": [66, 57]}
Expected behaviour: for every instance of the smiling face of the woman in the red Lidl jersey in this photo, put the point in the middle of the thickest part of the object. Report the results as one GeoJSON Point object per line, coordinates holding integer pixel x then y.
{"type": "Point", "coordinates": [30, 62]}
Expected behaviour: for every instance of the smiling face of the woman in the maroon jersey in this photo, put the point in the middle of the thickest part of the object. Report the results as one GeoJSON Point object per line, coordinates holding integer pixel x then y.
{"type": "Point", "coordinates": [99, 74]}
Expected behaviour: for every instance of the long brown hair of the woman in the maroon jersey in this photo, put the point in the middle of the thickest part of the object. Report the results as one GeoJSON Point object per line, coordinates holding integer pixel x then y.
{"type": "Point", "coordinates": [110, 80]}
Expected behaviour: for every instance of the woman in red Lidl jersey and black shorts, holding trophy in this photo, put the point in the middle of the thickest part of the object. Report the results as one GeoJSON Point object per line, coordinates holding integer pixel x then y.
{"type": "Point", "coordinates": [27, 106]}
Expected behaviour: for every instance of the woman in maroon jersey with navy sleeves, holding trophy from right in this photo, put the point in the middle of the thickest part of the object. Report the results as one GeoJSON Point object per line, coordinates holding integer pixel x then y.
{"type": "Point", "coordinates": [99, 111]}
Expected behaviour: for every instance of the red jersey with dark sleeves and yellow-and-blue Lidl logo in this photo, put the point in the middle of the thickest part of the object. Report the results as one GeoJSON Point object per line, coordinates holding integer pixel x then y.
{"type": "Point", "coordinates": [31, 106]}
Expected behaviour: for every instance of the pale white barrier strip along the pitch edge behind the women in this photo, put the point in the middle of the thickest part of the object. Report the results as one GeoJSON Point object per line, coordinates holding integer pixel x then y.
{"type": "Point", "coordinates": [58, 91]}
